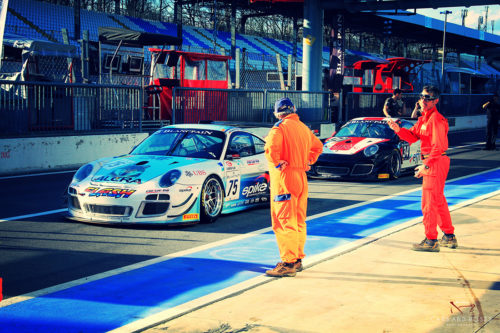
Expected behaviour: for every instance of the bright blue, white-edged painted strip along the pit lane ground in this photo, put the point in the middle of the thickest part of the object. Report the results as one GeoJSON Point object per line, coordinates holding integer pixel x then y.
{"type": "Point", "coordinates": [147, 293]}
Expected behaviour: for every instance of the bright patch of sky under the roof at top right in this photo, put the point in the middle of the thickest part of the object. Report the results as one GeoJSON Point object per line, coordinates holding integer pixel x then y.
{"type": "Point", "coordinates": [472, 16]}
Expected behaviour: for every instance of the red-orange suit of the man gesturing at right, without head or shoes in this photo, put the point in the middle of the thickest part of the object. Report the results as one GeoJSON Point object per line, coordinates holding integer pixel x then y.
{"type": "Point", "coordinates": [432, 131]}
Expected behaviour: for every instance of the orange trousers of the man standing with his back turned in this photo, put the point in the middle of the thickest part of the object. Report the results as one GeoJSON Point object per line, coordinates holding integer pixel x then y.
{"type": "Point", "coordinates": [289, 191]}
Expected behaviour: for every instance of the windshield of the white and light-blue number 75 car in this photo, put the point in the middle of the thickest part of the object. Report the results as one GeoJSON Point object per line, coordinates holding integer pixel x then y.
{"type": "Point", "coordinates": [183, 143]}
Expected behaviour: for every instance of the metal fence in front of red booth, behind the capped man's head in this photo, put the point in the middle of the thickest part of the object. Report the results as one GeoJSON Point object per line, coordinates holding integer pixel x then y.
{"type": "Point", "coordinates": [192, 105]}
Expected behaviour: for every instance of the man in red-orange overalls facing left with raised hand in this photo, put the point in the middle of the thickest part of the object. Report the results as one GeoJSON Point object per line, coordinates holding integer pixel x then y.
{"type": "Point", "coordinates": [432, 131]}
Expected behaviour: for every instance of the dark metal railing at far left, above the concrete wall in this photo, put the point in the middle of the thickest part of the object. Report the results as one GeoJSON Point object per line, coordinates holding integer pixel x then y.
{"type": "Point", "coordinates": [28, 108]}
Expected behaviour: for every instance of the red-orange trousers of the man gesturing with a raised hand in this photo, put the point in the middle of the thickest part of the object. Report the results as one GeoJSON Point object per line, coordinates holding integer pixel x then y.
{"type": "Point", "coordinates": [434, 206]}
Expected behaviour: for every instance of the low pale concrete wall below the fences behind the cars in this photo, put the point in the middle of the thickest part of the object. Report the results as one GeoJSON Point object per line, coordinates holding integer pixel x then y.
{"type": "Point", "coordinates": [33, 155]}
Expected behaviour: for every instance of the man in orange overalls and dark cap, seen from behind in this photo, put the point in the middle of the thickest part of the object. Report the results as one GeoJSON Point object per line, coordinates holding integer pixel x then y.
{"type": "Point", "coordinates": [291, 147]}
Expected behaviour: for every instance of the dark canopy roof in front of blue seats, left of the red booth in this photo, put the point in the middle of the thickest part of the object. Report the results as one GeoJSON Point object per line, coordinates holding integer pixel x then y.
{"type": "Point", "coordinates": [111, 35]}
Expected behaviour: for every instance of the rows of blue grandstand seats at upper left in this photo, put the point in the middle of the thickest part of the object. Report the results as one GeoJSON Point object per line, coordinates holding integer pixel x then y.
{"type": "Point", "coordinates": [43, 20]}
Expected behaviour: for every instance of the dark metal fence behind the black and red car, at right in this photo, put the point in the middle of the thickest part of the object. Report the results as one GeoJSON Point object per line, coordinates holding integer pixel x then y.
{"type": "Point", "coordinates": [371, 104]}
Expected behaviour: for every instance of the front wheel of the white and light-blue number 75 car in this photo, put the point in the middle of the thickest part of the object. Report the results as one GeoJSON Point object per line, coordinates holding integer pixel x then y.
{"type": "Point", "coordinates": [212, 199]}
